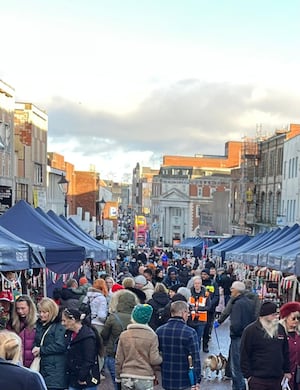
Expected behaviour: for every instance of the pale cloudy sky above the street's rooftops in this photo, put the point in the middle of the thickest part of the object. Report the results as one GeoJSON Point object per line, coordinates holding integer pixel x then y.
{"type": "Point", "coordinates": [127, 81]}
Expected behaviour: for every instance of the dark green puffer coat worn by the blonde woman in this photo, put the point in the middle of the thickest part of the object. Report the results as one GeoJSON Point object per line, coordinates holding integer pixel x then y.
{"type": "Point", "coordinates": [53, 353]}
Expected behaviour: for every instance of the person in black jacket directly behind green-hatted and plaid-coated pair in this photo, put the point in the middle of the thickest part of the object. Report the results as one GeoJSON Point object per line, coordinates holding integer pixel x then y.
{"type": "Point", "coordinates": [159, 300]}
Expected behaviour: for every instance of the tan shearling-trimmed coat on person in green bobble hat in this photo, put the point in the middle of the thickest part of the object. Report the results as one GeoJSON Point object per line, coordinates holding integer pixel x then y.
{"type": "Point", "coordinates": [137, 353]}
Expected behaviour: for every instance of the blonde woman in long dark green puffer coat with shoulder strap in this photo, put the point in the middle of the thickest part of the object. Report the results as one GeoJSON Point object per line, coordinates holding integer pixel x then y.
{"type": "Point", "coordinates": [50, 344]}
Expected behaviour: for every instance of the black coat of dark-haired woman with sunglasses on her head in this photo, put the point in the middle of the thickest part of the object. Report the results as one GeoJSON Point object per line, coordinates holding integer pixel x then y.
{"type": "Point", "coordinates": [82, 358]}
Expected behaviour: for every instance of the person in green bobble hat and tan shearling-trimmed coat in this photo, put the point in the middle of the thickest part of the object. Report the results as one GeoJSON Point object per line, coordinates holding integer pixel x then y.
{"type": "Point", "coordinates": [137, 357]}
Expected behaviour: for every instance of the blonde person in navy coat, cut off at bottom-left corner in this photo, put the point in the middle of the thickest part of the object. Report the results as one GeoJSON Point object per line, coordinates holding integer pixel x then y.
{"type": "Point", "coordinates": [13, 376]}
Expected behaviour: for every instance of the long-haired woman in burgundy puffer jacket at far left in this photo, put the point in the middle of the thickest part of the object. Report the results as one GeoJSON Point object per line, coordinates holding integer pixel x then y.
{"type": "Point", "coordinates": [23, 322]}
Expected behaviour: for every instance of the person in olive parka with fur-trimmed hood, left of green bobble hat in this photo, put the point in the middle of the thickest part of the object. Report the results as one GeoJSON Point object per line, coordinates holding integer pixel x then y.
{"type": "Point", "coordinates": [116, 322]}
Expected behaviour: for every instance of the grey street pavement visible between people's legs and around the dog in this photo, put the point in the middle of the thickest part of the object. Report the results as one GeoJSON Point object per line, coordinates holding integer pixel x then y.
{"type": "Point", "coordinates": [206, 384]}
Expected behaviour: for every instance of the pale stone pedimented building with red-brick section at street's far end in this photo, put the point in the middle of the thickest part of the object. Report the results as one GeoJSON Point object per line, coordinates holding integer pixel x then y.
{"type": "Point", "coordinates": [184, 207]}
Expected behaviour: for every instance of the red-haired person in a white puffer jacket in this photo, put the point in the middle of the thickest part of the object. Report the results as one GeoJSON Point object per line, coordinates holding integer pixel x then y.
{"type": "Point", "coordinates": [96, 297]}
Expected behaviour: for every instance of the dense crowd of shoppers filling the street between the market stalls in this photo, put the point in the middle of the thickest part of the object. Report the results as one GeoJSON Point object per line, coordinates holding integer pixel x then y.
{"type": "Point", "coordinates": [148, 325]}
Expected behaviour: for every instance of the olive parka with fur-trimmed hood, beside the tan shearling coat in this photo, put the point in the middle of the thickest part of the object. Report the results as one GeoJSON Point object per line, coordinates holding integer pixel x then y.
{"type": "Point", "coordinates": [112, 328]}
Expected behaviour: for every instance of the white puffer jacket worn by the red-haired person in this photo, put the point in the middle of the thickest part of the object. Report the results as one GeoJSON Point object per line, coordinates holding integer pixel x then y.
{"type": "Point", "coordinates": [98, 305]}
